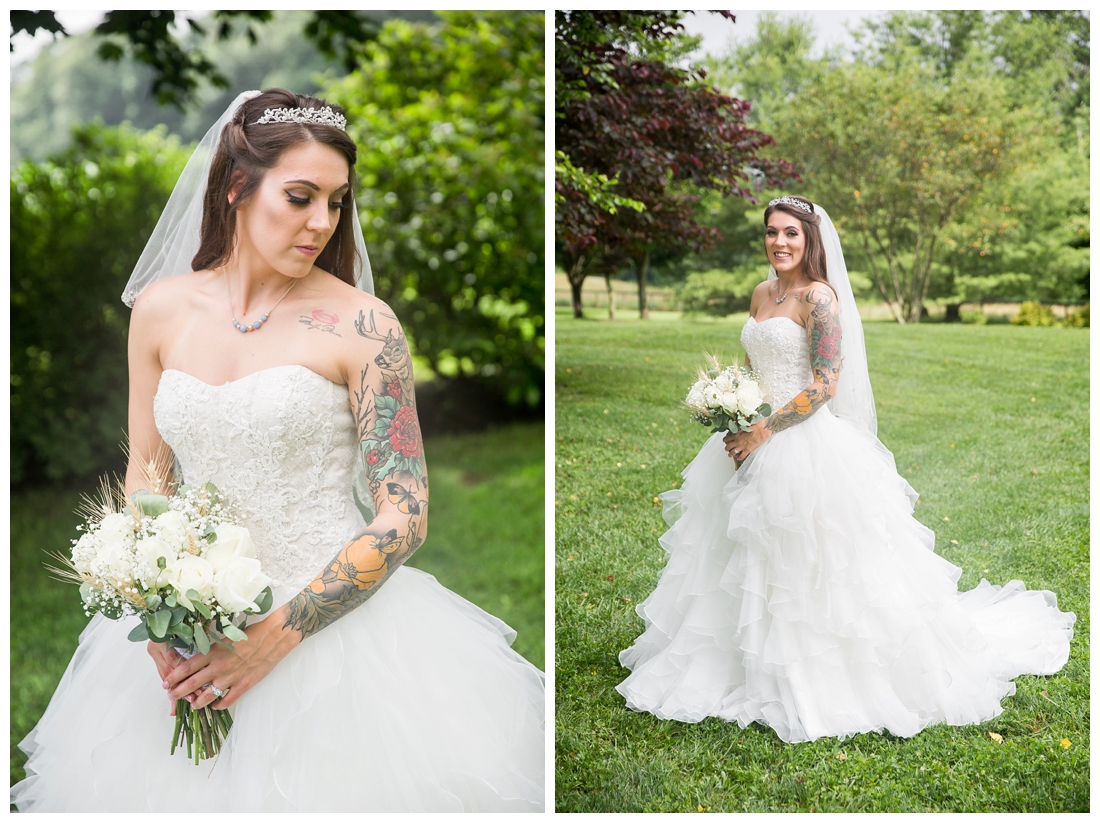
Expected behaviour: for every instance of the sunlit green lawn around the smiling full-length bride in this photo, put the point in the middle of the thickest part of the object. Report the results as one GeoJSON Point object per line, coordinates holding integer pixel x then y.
{"type": "Point", "coordinates": [989, 424]}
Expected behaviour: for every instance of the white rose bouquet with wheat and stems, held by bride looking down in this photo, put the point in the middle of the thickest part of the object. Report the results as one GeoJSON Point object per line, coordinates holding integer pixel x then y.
{"type": "Point", "coordinates": [174, 557]}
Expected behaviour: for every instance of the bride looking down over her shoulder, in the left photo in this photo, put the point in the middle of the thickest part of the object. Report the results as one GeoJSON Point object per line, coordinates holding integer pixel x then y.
{"type": "Point", "coordinates": [369, 687]}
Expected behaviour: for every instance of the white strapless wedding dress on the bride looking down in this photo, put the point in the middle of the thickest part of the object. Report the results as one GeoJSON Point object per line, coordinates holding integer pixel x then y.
{"type": "Point", "coordinates": [412, 703]}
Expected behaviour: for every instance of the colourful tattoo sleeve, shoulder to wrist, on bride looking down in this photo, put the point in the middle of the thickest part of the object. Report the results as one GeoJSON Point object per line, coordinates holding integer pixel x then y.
{"type": "Point", "coordinates": [384, 409]}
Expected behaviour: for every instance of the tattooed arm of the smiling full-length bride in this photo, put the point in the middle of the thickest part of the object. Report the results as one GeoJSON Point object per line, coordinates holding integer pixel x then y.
{"type": "Point", "coordinates": [823, 327]}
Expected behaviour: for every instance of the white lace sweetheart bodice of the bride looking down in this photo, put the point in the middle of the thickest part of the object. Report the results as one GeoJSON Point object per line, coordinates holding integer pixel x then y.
{"type": "Point", "coordinates": [281, 447]}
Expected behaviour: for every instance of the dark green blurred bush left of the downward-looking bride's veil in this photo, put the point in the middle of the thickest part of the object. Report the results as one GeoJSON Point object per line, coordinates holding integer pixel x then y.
{"type": "Point", "coordinates": [79, 224]}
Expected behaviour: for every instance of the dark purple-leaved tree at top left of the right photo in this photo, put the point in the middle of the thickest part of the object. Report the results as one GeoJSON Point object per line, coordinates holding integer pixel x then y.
{"type": "Point", "coordinates": [650, 126]}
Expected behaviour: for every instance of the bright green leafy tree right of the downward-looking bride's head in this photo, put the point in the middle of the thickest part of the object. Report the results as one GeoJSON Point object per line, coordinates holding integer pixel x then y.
{"type": "Point", "coordinates": [449, 124]}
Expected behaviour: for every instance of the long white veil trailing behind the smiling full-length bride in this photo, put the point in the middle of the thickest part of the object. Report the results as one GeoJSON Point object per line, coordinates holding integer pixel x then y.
{"type": "Point", "coordinates": [854, 401]}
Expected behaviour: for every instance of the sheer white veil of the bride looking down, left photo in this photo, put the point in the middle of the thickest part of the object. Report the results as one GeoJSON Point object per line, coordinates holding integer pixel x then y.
{"type": "Point", "coordinates": [175, 240]}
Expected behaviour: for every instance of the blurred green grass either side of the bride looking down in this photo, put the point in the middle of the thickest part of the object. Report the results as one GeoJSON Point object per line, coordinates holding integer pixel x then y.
{"type": "Point", "coordinates": [486, 543]}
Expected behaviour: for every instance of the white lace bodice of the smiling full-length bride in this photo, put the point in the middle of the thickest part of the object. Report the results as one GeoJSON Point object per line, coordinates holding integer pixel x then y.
{"type": "Point", "coordinates": [779, 350]}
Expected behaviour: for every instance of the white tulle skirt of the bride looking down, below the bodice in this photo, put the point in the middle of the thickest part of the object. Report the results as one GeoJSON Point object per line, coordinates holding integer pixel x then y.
{"type": "Point", "coordinates": [412, 703]}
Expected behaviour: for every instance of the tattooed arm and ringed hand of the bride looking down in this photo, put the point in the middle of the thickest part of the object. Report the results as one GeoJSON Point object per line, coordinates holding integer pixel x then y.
{"type": "Point", "coordinates": [384, 408]}
